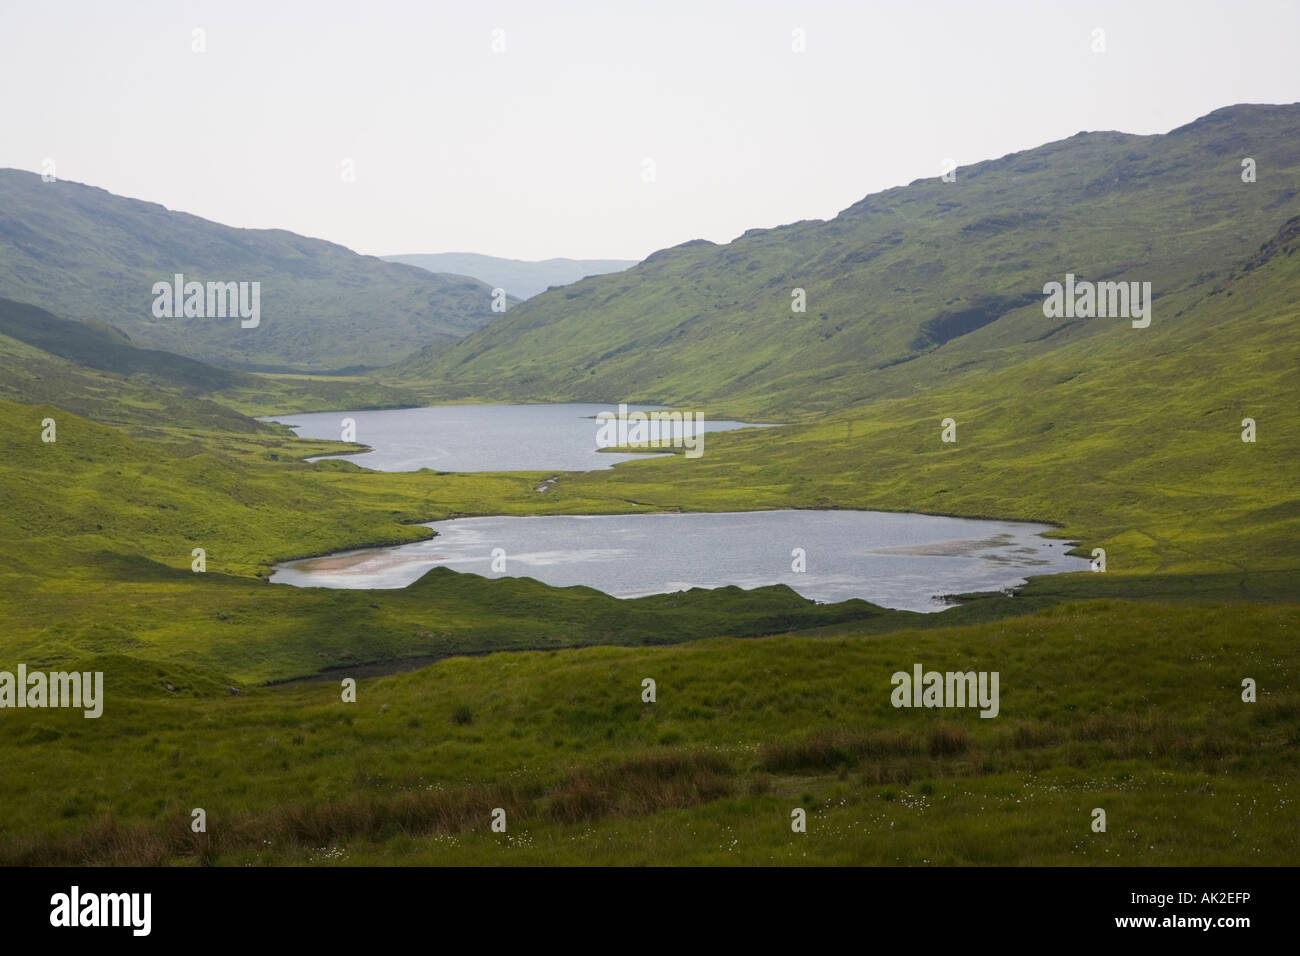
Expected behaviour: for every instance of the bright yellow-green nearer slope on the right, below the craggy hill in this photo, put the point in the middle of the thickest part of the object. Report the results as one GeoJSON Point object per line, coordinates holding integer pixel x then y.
{"type": "Point", "coordinates": [1134, 447]}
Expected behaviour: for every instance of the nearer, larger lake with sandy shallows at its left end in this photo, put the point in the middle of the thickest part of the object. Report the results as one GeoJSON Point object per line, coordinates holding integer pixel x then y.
{"type": "Point", "coordinates": [902, 561]}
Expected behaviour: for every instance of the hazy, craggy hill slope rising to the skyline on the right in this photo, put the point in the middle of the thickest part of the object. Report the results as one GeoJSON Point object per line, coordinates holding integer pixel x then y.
{"type": "Point", "coordinates": [907, 288]}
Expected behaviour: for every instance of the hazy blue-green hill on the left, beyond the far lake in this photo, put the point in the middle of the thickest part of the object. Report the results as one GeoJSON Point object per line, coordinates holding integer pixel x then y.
{"type": "Point", "coordinates": [86, 254]}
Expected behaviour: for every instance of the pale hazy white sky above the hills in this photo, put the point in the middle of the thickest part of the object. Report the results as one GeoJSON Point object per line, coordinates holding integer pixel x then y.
{"type": "Point", "coordinates": [541, 150]}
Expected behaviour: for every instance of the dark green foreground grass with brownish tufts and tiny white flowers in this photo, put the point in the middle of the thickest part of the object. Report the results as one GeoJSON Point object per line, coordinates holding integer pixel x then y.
{"type": "Point", "coordinates": [1134, 708]}
